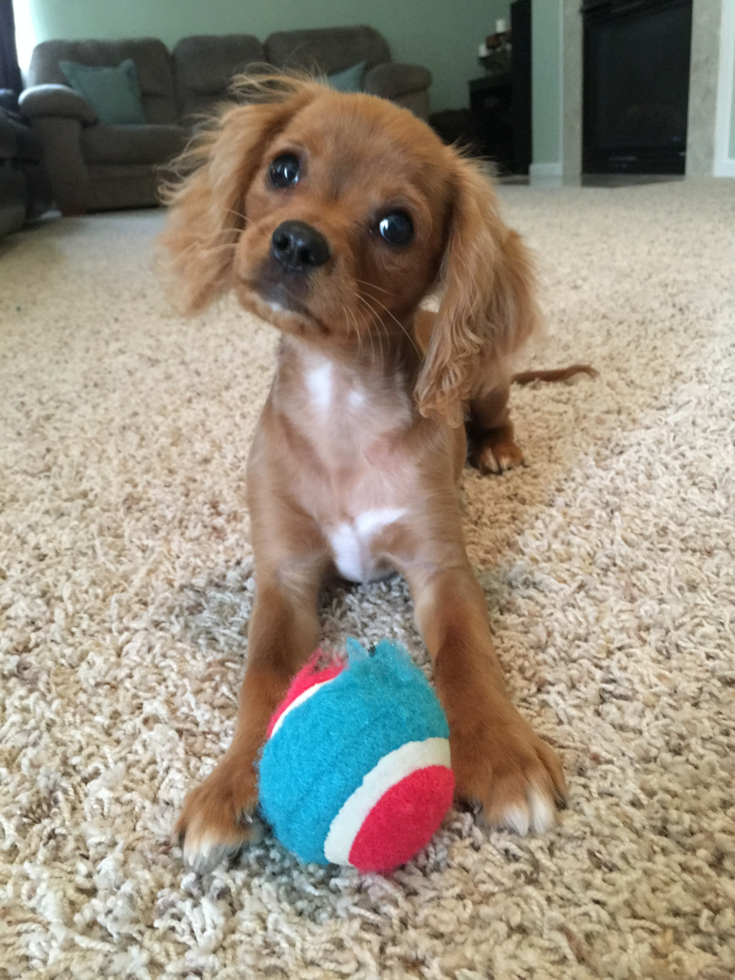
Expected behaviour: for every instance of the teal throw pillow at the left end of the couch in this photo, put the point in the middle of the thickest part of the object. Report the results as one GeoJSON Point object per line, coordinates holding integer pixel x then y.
{"type": "Point", "coordinates": [113, 93]}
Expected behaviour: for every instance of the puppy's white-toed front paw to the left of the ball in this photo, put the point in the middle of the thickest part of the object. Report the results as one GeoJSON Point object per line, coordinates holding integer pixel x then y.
{"type": "Point", "coordinates": [219, 816]}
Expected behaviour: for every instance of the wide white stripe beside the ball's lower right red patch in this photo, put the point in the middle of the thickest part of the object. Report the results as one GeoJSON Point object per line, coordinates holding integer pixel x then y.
{"type": "Point", "coordinates": [391, 769]}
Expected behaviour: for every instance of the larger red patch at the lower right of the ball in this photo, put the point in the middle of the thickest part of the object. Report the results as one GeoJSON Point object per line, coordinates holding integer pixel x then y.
{"type": "Point", "coordinates": [403, 820]}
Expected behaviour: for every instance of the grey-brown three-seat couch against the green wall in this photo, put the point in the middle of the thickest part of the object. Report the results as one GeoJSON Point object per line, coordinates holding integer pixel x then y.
{"type": "Point", "coordinates": [95, 167]}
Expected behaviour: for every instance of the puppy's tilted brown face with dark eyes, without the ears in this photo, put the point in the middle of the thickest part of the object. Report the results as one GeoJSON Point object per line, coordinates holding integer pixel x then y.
{"type": "Point", "coordinates": [346, 220]}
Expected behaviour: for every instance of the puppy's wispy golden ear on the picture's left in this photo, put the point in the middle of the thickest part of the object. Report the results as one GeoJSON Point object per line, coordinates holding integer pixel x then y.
{"type": "Point", "coordinates": [207, 205]}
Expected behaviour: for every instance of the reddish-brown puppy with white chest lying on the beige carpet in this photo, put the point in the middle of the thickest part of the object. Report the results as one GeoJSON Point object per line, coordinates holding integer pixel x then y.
{"type": "Point", "coordinates": [332, 217]}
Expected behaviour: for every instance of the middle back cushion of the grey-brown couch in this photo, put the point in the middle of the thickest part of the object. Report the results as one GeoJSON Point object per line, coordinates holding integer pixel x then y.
{"type": "Point", "coordinates": [204, 66]}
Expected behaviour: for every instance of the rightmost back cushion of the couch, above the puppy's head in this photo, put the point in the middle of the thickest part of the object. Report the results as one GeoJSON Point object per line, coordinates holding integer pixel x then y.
{"type": "Point", "coordinates": [328, 50]}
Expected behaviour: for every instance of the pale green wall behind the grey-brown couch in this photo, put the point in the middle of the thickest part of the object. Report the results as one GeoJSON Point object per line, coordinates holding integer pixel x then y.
{"type": "Point", "coordinates": [443, 35]}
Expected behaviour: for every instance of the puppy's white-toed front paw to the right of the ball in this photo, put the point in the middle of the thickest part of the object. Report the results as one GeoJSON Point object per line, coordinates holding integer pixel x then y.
{"type": "Point", "coordinates": [505, 767]}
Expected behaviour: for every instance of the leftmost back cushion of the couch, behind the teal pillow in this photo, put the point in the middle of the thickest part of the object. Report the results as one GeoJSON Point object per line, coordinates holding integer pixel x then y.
{"type": "Point", "coordinates": [152, 66]}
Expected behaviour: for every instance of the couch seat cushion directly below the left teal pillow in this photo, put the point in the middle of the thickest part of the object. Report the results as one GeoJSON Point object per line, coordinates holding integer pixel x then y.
{"type": "Point", "coordinates": [132, 144]}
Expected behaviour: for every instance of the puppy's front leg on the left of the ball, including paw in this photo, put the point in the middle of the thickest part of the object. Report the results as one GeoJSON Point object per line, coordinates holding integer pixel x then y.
{"type": "Point", "coordinates": [219, 816]}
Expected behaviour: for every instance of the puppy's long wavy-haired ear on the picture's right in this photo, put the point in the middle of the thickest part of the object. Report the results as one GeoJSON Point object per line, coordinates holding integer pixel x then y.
{"type": "Point", "coordinates": [488, 308]}
